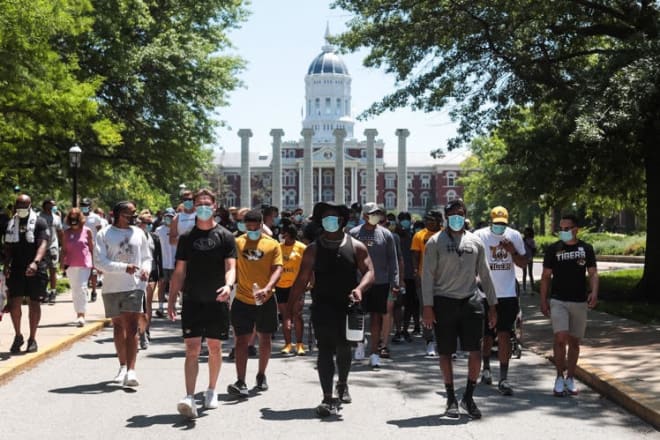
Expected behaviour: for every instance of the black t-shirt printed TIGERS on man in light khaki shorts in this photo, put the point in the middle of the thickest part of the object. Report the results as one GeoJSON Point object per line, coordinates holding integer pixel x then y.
{"type": "Point", "coordinates": [569, 264]}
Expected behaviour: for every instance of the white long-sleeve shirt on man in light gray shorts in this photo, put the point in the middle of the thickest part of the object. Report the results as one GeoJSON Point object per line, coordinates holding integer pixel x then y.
{"type": "Point", "coordinates": [114, 249]}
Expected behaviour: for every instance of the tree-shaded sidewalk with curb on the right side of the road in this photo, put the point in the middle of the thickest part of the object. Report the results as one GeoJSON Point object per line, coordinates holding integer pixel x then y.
{"type": "Point", "coordinates": [618, 357]}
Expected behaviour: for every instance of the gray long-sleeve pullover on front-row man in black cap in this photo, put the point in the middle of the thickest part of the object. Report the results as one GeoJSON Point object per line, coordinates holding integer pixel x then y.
{"type": "Point", "coordinates": [451, 266]}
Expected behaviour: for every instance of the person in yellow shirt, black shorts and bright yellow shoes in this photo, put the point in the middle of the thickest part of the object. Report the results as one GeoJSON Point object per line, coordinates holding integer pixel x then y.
{"type": "Point", "coordinates": [292, 251]}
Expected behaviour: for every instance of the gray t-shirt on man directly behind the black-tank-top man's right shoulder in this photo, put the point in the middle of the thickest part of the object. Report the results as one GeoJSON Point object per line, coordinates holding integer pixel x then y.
{"type": "Point", "coordinates": [380, 244]}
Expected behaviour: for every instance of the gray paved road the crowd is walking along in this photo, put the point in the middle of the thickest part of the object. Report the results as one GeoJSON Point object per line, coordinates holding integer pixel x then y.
{"type": "Point", "coordinates": [70, 396]}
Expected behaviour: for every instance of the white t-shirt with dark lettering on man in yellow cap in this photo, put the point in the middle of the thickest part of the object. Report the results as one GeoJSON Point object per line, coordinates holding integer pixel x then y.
{"type": "Point", "coordinates": [502, 267]}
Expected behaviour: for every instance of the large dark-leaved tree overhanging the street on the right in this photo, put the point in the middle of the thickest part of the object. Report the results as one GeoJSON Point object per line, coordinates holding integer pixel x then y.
{"type": "Point", "coordinates": [598, 62]}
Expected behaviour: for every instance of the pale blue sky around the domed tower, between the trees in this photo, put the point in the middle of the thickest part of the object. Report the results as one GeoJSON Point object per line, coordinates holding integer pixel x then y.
{"type": "Point", "coordinates": [279, 41]}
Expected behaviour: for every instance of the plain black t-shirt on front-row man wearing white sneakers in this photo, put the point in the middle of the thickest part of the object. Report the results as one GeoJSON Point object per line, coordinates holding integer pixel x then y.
{"type": "Point", "coordinates": [205, 252]}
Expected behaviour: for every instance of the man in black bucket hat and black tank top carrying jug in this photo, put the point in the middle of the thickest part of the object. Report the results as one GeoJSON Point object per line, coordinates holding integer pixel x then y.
{"type": "Point", "coordinates": [334, 259]}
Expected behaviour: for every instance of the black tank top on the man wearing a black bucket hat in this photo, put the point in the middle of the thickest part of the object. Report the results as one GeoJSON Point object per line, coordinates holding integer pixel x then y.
{"type": "Point", "coordinates": [335, 272]}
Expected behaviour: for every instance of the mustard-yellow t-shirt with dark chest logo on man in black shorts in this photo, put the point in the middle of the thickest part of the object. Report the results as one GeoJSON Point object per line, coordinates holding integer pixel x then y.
{"type": "Point", "coordinates": [253, 264]}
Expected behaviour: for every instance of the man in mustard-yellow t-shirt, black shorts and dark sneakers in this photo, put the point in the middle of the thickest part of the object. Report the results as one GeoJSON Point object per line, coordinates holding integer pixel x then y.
{"type": "Point", "coordinates": [259, 266]}
